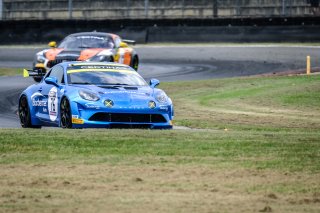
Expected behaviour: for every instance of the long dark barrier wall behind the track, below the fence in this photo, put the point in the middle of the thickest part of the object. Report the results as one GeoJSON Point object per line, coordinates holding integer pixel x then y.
{"type": "Point", "coordinates": [288, 29]}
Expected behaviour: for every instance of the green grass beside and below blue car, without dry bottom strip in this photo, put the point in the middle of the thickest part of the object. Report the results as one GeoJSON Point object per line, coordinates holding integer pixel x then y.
{"type": "Point", "coordinates": [267, 123]}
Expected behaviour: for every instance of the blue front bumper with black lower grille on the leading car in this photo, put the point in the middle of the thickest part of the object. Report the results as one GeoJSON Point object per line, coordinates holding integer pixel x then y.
{"type": "Point", "coordinates": [90, 115]}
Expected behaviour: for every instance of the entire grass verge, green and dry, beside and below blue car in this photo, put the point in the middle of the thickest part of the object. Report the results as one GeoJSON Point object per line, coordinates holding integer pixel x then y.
{"type": "Point", "coordinates": [254, 148]}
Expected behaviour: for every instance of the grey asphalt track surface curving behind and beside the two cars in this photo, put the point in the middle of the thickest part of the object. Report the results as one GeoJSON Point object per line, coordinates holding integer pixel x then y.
{"type": "Point", "coordinates": [169, 63]}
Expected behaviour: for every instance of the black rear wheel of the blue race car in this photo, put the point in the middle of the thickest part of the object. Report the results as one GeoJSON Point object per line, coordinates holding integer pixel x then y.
{"type": "Point", "coordinates": [24, 113]}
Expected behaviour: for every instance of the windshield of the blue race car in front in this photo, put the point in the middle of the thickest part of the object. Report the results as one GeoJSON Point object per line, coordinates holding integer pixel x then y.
{"type": "Point", "coordinates": [106, 78]}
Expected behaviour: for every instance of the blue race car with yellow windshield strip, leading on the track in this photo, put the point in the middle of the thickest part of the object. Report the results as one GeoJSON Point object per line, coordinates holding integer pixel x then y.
{"type": "Point", "coordinates": [94, 94]}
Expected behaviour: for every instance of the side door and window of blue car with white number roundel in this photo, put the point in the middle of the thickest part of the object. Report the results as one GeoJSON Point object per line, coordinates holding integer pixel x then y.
{"type": "Point", "coordinates": [51, 95]}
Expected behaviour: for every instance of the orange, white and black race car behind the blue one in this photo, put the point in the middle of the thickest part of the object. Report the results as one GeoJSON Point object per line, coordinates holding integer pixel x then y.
{"type": "Point", "coordinates": [87, 46]}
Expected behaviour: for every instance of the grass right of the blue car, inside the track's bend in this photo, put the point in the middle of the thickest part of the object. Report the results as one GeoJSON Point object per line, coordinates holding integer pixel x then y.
{"type": "Point", "coordinates": [271, 103]}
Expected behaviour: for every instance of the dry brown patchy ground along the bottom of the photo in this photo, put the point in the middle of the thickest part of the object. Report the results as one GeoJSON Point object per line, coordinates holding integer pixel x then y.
{"type": "Point", "coordinates": [123, 188]}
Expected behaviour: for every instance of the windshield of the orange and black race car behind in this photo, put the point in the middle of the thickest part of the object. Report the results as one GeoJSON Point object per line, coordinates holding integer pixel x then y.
{"type": "Point", "coordinates": [83, 42]}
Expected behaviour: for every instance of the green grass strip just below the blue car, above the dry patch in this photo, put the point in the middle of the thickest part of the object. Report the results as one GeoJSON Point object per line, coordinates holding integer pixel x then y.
{"type": "Point", "coordinates": [295, 151]}
